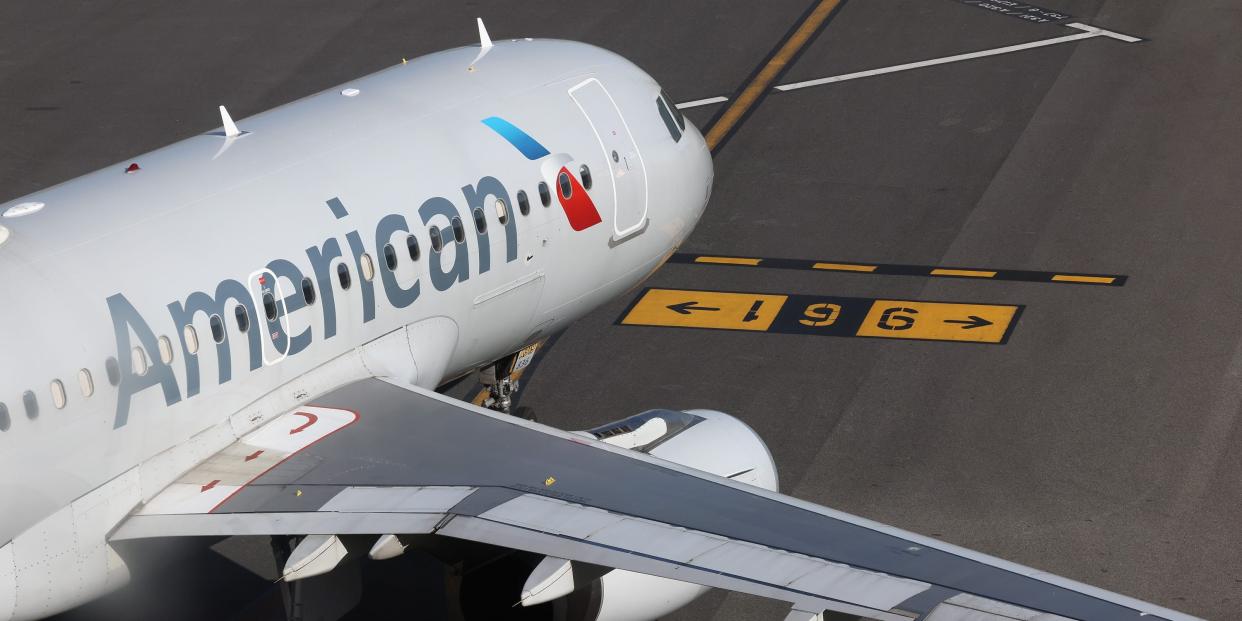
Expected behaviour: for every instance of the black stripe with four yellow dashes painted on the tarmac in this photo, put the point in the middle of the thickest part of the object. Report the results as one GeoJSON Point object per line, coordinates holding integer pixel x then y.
{"type": "Point", "coordinates": [905, 270]}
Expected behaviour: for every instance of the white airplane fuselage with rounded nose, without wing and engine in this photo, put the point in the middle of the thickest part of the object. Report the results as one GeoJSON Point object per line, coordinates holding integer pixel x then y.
{"type": "Point", "coordinates": [117, 261]}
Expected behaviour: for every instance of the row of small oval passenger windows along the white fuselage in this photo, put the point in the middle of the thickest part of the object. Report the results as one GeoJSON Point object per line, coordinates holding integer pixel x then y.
{"type": "Point", "coordinates": [242, 316]}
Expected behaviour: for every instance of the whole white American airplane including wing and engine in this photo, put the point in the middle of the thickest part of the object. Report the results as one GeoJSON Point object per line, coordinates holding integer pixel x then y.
{"type": "Point", "coordinates": [243, 335]}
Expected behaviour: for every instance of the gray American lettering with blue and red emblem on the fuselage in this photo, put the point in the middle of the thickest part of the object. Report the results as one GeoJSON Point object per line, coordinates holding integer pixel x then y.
{"type": "Point", "coordinates": [446, 270]}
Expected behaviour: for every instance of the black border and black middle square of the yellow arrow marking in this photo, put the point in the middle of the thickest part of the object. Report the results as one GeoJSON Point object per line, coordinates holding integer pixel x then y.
{"type": "Point", "coordinates": [792, 310]}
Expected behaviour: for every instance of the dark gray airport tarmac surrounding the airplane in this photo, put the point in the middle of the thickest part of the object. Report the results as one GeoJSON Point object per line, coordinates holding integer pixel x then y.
{"type": "Point", "coordinates": [1101, 443]}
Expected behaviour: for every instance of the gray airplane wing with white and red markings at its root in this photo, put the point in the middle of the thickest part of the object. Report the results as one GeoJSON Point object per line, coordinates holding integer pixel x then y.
{"type": "Point", "coordinates": [379, 458]}
